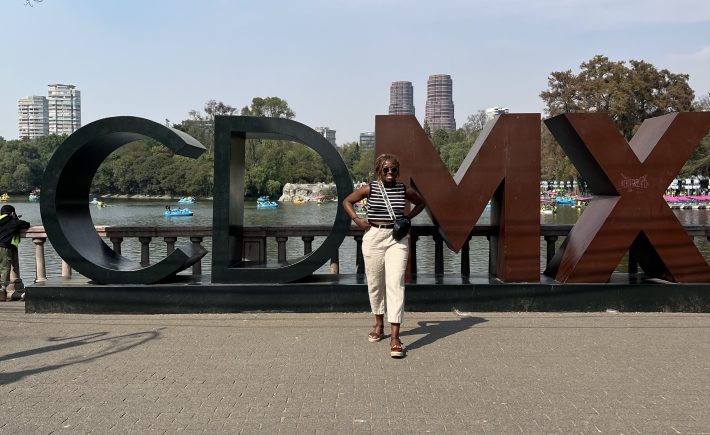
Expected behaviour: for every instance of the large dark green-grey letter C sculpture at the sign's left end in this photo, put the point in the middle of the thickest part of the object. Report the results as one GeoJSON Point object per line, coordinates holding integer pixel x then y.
{"type": "Point", "coordinates": [65, 200]}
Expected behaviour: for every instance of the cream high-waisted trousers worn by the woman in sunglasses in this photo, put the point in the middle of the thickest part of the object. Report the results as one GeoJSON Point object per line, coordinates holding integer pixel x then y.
{"type": "Point", "coordinates": [385, 264]}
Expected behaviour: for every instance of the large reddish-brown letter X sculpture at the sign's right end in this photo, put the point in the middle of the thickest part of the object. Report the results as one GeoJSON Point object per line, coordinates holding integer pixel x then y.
{"type": "Point", "coordinates": [628, 211]}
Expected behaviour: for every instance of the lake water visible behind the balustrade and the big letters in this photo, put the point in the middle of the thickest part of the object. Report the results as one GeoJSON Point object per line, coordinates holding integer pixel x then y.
{"type": "Point", "coordinates": [149, 212]}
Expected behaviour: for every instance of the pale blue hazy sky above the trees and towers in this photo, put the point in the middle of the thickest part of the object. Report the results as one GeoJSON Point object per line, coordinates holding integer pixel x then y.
{"type": "Point", "coordinates": [331, 60]}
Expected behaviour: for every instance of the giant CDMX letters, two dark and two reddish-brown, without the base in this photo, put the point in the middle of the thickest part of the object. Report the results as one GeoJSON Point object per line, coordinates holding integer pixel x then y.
{"type": "Point", "coordinates": [627, 180]}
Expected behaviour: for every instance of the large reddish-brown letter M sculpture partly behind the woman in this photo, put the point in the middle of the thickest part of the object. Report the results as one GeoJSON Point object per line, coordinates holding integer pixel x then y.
{"type": "Point", "coordinates": [503, 164]}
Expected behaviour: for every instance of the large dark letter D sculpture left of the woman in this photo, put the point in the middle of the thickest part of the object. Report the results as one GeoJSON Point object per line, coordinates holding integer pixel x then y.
{"type": "Point", "coordinates": [230, 135]}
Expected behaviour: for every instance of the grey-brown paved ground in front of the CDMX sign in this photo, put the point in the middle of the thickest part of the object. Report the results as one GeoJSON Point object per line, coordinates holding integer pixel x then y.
{"type": "Point", "coordinates": [317, 373]}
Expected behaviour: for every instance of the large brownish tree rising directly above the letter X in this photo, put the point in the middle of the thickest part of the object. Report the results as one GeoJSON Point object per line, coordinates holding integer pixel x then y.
{"type": "Point", "coordinates": [629, 93]}
